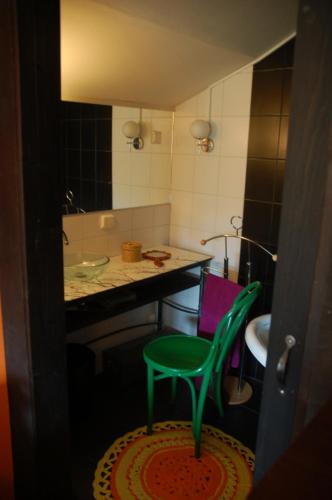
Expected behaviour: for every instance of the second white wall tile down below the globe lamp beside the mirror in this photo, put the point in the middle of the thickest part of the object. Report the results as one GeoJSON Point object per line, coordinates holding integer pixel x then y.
{"type": "Point", "coordinates": [204, 212]}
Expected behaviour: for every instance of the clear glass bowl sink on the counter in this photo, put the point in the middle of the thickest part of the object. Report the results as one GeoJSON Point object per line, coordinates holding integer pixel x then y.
{"type": "Point", "coordinates": [83, 265]}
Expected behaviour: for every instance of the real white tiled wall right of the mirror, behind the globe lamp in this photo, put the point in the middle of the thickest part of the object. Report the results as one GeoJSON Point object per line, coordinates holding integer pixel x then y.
{"type": "Point", "coordinates": [208, 188]}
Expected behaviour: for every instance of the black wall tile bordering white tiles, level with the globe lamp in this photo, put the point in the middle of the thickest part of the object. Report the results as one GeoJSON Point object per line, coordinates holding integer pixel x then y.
{"type": "Point", "coordinates": [264, 136]}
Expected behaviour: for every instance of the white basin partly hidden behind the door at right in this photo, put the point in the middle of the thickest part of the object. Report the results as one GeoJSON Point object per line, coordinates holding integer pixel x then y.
{"type": "Point", "coordinates": [257, 337]}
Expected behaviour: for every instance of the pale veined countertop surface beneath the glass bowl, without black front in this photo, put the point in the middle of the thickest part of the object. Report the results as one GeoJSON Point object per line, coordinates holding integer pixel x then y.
{"type": "Point", "coordinates": [119, 273]}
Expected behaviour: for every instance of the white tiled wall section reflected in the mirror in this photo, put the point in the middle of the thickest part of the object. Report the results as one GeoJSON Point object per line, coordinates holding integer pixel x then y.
{"type": "Point", "coordinates": [141, 177]}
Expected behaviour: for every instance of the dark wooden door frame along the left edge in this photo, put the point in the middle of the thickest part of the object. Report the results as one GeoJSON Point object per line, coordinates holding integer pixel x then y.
{"type": "Point", "coordinates": [31, 274]}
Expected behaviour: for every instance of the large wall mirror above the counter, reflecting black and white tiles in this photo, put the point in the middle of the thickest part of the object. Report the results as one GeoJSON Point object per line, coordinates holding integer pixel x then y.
{"type": "Point", "coordinates": [102, 170]}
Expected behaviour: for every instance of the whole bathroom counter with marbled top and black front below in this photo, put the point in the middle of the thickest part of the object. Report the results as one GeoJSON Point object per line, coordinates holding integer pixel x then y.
{"type": "Point", "coordinates": [125, 286]}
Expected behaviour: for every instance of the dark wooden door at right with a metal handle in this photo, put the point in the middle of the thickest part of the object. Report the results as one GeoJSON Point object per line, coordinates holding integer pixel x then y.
{"type": "Point", "coordinates": [302, 302]}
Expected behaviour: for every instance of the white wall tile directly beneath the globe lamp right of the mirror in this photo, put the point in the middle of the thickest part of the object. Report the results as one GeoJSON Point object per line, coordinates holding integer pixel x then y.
{"type": "Point", "coordinates": [206, 174]}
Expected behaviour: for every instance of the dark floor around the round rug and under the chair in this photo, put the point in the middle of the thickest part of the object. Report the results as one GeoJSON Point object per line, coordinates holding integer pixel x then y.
{"type": "Point", "coordinates": [115, 411]}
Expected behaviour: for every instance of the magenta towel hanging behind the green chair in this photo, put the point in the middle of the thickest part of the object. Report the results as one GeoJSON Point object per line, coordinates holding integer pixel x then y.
{"type": "Point", "coordinates": [218, 297]}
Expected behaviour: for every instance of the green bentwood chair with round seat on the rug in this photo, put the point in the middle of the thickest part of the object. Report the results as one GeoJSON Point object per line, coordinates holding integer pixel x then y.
{"type": "Point", "coordinates": [187, 357]}
